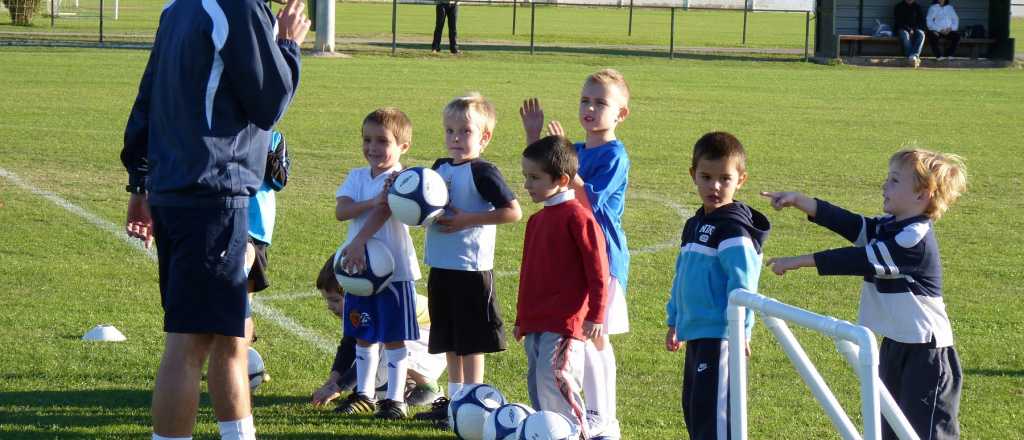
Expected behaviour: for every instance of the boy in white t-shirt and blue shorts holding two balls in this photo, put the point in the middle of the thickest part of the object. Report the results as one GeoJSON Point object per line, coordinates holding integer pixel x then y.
{"type": "Point", "coordinates": [388, 318]}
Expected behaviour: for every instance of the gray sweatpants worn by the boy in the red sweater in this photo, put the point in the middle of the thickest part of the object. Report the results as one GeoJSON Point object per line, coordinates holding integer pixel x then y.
{"type": "Point", "coordinates": [556, 375]}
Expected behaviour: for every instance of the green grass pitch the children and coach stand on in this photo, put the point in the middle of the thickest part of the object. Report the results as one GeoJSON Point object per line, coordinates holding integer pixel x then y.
{"type": "Point", "coordinates": [825, 130]}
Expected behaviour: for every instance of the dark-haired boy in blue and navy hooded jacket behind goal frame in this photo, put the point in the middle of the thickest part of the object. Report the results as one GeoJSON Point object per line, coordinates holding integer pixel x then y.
{"type": "Point", "coordinates": [721, 250]}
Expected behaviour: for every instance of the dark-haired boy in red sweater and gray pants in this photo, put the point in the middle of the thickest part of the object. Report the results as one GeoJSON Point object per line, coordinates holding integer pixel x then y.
{"type": "Point", "coordinates": [563, 281]}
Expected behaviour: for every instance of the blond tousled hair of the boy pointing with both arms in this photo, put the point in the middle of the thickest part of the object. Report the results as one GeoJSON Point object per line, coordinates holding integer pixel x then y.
{"type": "Point", "coordinates": [944, 177]}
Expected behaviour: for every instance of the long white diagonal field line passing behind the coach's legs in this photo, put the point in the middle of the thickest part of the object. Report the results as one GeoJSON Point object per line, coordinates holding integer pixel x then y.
{"type": "Point", "coordinates": [267, 312]}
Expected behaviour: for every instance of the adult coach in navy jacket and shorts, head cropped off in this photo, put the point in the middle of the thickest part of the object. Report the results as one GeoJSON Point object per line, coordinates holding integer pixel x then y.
{"type": "Point", "coordinates": [220, 77]}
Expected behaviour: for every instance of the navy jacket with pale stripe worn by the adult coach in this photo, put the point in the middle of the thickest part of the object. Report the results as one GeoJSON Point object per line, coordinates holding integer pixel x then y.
{"type": "Point", "coordinates": [217, 82]}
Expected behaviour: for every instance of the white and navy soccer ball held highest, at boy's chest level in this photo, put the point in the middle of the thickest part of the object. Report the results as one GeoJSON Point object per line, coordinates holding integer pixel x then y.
{"type": "Point", "coordinates": [418, 196]}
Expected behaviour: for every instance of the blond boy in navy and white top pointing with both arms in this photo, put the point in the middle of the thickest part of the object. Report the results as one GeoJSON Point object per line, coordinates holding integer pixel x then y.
{"type": "Point", "coordinates": [902, 297]}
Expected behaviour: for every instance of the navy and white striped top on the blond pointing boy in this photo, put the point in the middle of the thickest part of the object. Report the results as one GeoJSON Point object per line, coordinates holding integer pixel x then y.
{"type": "Point", "coordinates": [902, 297]}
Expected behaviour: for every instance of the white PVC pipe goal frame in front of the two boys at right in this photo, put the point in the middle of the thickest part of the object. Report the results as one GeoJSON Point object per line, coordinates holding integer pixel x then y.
{"type": "Point", "coordinates": [858, 345]}
